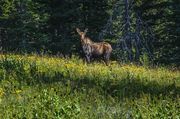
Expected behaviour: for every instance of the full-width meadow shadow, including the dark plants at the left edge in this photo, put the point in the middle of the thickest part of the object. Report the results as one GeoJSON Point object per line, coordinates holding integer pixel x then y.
{"type": "Point", "coordinates": [122, 88]}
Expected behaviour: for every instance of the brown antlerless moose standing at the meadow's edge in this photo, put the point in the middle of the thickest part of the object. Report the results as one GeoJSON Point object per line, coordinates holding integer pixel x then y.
{"type": "Point", "coordinates": [90, 48]}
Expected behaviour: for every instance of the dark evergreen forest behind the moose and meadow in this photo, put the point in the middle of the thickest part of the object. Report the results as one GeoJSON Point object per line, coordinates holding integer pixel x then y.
{"type": "Point", "coordinates": [48, 26]}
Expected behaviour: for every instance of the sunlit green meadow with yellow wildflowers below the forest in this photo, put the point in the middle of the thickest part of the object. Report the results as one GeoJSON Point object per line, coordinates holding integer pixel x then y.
{"type": "Point", "coordinates": [33, 87]}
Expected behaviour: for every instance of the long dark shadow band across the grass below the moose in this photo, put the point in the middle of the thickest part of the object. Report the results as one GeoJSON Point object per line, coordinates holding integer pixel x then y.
{"type": "Point", "coordinates": [123, 88]}
